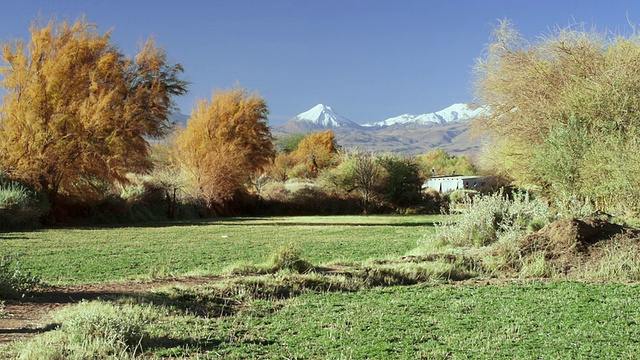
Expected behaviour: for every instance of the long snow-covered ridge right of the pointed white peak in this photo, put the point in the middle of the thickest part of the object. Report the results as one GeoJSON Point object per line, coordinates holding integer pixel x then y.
{"type": "Point", "coordinates": [452, 114]}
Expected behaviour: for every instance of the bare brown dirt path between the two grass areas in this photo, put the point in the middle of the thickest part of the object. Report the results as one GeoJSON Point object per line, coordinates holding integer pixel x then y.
{"type": "Point", "coordinates": [27, 317]}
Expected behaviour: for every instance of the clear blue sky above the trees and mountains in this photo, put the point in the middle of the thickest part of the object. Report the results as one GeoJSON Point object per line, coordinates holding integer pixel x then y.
{"type": "Point", "coordinates": [368, 60]}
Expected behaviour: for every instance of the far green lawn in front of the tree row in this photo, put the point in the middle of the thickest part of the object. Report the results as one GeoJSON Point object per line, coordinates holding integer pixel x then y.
{"type": "Point", "coordinates": [70, 256]}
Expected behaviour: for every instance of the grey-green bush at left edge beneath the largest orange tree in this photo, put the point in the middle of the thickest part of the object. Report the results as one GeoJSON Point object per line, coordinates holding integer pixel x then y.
{"type": "Point", "coordinates": [20, 207]}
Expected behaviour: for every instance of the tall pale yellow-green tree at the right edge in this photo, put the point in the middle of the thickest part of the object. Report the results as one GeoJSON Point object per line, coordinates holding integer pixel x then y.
{"type": "Point", "coordinates": [564, 112]}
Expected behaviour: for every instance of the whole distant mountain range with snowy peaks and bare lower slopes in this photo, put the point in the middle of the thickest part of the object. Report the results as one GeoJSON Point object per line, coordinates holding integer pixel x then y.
{"type": "Point", "coordinates": [447, 129]}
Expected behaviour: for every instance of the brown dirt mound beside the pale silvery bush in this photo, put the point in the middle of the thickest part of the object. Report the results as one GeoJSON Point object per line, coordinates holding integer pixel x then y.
{"type": "Point", "coordinates": [569, 242]}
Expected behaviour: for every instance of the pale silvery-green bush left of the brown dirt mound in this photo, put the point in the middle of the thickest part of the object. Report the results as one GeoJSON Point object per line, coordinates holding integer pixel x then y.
{"type": "Point", "coordinates": [485, 219]}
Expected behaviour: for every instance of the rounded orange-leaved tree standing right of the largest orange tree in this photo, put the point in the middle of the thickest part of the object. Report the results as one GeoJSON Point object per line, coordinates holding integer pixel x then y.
{"type": "Point", "coordinates": [227, 140]}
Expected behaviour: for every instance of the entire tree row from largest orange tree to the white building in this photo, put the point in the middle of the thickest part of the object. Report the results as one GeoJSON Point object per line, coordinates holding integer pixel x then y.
{"type": "Point", "coordinates": [77, 116]}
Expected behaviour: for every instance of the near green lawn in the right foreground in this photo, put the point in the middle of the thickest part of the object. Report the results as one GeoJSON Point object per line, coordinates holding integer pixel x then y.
{"type": "Point", "coordinates": [533, 320]}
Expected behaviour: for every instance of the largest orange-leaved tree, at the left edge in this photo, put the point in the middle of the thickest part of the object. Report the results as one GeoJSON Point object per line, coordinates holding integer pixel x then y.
{"type": "Point", "coordinates": [76, 112]}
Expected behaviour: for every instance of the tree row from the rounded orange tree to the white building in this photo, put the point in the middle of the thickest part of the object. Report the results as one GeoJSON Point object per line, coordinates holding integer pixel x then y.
{"type": "Point", "coordinates": [228, 153]}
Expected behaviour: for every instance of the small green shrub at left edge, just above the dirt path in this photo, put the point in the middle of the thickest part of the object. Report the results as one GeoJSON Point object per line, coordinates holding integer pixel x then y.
{"type": "Point", "coordinates": [14, 282]}
